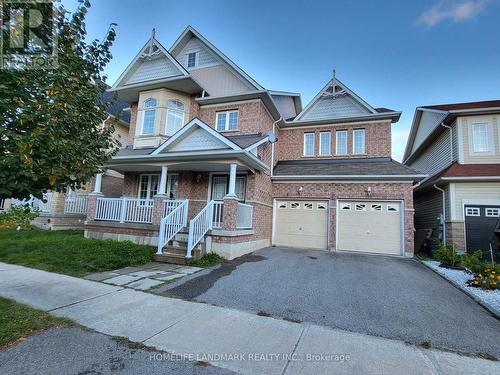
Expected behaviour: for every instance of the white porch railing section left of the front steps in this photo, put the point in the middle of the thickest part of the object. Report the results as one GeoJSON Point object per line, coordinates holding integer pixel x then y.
{"type": "Point", "coordinates": [124, 210]}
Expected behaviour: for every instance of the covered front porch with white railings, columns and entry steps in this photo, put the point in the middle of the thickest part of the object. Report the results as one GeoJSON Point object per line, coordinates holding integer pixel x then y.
{"type": "Point", "coordinates": [185, 210]}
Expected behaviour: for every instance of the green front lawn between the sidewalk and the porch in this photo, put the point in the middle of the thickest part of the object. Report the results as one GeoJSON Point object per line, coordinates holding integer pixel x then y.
{"type": "Point", "coordinates": [68, 252]}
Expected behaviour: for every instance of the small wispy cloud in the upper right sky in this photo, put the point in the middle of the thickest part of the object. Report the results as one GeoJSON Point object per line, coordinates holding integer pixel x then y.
{"type": "Point", "coordinates": [456, 11]}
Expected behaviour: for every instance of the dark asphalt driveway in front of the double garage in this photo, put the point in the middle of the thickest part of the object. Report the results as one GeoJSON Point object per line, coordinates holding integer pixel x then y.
{"type": "Point", "coordinates": [383, 296]}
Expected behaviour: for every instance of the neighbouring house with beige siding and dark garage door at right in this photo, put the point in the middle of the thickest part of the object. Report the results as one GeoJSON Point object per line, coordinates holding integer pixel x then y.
{"type": "Point", "coordinates": [458, 146]}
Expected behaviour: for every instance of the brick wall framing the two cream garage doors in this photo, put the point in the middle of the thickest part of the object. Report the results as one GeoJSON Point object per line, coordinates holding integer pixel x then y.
{"type": "Point", "coordinates": [334, 191]}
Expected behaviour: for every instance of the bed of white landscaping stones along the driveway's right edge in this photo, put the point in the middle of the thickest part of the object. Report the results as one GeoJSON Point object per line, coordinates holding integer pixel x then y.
{"type": "Point", "coordinates": [490, 297]}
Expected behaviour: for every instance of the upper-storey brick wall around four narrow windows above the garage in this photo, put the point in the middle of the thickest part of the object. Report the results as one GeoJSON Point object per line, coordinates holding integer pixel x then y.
{"type": "Point", "coordinates": [290, 145]}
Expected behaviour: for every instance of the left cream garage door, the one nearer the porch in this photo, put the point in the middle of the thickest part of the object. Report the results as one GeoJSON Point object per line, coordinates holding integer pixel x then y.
{"type": "Point", "coordinates": [301, 224]}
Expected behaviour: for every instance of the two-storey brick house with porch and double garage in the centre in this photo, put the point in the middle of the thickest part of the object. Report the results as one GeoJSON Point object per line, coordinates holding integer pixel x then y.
{"type": "Point", "coordinates": [215, 162]}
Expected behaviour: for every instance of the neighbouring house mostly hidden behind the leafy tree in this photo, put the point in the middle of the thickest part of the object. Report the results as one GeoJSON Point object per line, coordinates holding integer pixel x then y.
{"type": "Point", "coordinates": [58, 210]}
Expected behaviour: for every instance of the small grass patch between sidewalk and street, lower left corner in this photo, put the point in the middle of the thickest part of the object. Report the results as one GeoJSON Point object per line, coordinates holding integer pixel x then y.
{"type": "Point", "coordinates": [19, 321]}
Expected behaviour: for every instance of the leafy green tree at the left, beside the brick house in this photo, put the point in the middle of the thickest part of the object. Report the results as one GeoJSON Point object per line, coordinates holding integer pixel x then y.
{"type": "Point", "coordinates": [51, 133]}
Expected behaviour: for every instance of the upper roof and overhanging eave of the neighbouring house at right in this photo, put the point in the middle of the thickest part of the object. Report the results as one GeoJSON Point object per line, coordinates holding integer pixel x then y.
{"type": "Point", "coordinates": [427, 120]}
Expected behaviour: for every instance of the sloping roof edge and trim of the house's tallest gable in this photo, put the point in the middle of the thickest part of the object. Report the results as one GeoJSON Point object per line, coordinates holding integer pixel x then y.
{"type": "Point", "coordinates": [190, 32]}
